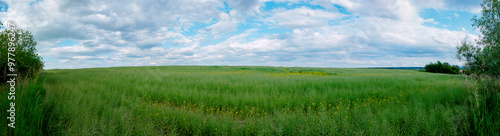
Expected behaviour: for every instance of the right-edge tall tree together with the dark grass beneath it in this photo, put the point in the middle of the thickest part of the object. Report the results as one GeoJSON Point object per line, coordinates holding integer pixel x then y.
{"type": "Point", "coordinates": [482, 65]}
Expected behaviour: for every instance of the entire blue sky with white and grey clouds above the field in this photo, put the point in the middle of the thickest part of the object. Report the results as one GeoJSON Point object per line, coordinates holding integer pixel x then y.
{"type": "Point", "coordinates": [304, 33]}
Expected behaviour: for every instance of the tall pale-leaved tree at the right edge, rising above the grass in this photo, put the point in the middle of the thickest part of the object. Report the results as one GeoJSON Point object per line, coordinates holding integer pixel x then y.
{"type": "Point", "coordinates": [484, 57]}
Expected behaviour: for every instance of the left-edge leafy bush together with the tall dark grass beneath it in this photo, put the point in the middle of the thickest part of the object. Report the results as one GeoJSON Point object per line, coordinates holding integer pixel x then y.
{"type": "Point", "coordinates": [33, 109]}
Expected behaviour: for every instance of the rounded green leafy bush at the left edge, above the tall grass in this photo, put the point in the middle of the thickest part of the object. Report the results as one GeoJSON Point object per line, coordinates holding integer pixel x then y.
{"type": "Point", "coordinates": [27, 63]}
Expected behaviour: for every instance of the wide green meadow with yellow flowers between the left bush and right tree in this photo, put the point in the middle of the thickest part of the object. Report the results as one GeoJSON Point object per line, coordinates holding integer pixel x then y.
{"type": "Point", "coordinates": [231, 100]}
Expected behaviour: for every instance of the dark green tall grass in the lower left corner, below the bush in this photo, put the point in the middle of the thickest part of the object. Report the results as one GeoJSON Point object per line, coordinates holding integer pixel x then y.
{"type": "Point", "coordinates": [34, 114]}
